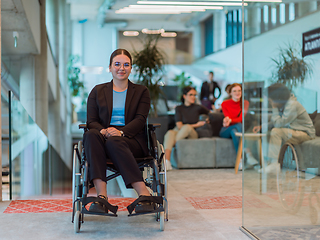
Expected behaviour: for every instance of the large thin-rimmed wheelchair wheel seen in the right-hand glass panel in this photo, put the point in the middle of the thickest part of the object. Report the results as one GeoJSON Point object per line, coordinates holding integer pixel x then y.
{"type": "Point", "coordinates": [289, 180]}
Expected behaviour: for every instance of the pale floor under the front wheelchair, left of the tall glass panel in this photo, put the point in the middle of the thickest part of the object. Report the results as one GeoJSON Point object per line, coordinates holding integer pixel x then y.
{"type": "Point", "coordinates": [203, 204]}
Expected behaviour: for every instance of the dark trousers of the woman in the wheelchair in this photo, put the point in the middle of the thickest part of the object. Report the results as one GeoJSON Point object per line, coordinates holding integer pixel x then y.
{"type": "Point", "coordinates": [120, 150]}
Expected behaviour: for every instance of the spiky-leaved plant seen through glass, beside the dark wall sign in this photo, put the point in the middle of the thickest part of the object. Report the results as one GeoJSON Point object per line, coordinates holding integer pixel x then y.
{"type": "Point", "coordinates": [291, 69]}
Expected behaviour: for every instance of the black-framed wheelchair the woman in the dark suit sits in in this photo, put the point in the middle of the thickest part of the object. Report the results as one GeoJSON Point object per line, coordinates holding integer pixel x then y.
{"type": "Point", "coordinates": [153, 169]}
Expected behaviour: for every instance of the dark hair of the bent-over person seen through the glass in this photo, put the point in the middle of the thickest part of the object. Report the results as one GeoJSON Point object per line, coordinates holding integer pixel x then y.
{"type": "Point", "coordinates": [279, 93]}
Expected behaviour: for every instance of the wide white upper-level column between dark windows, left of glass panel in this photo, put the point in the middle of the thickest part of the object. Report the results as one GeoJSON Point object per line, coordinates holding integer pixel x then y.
{"type": "Point", "coordinates": [219, 31]}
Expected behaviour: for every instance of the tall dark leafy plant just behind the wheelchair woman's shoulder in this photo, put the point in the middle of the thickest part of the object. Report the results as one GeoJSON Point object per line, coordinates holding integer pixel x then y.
{"type": "Point", "coordinates": [148, 67]}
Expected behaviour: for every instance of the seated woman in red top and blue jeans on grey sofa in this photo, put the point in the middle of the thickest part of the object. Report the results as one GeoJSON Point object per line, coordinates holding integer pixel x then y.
{"type": "Point", "coordinates": [232, 111]}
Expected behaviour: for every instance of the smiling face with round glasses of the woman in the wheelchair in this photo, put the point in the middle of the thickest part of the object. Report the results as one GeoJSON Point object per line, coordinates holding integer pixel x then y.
{"type": "Point", "coordinates": [120, 68]}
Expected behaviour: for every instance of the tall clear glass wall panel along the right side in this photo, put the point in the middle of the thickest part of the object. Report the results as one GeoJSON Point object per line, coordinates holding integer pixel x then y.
{"type": "Point", "coordinates": [281, 150]}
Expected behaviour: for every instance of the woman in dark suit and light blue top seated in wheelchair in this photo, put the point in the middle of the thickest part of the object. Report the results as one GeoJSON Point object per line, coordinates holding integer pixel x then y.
{"type": "Point", "coordinates": [116, 115]}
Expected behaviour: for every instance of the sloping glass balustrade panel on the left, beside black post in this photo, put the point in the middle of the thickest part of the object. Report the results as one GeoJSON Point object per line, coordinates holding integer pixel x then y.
{"type": "Point", "coordinates": [35, 167]}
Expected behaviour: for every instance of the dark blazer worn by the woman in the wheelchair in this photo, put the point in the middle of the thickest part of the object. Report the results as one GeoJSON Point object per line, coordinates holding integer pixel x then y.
{"type": "Point", "coordinates": [137, 105]}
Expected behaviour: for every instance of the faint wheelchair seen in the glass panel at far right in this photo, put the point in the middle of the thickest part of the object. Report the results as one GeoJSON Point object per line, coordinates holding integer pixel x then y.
{"type": "Point", "coordinates": [292, 181]}
